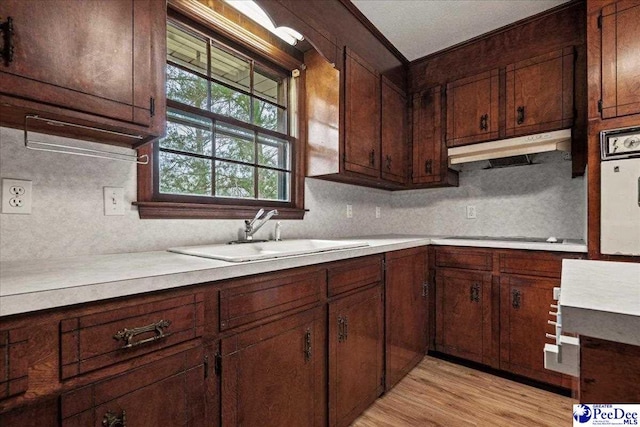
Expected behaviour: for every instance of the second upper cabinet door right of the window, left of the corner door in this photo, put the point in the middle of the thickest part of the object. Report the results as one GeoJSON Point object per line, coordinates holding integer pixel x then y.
{"type": "Point", "coordinates": [394, 133]}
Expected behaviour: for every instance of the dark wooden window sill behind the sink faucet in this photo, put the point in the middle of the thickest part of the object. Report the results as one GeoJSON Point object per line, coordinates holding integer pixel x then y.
{"type": "Point", "coordinates": [172, 210]}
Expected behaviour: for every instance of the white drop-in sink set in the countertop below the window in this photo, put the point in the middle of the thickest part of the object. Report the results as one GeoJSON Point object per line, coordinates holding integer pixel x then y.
{"type": "Point", "coordinates": [267, 250]}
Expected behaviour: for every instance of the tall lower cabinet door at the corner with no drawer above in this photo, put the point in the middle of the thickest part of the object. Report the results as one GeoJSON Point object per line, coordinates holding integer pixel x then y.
{"type": "Point", "coordinates": [406, 307]}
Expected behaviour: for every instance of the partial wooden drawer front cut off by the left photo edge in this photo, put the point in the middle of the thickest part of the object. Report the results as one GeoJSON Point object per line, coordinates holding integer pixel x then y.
{"type": "Point", "coordinates": [13, 362]}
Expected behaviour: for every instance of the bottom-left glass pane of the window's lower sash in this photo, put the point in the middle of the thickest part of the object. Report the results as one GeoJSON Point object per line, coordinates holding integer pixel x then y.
{"type": "Point", "coordinates": [184, 174]}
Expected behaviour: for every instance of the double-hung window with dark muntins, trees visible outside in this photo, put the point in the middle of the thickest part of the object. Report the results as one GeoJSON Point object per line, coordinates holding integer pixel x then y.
{"type": "Point", "coordinates": [228, 136]}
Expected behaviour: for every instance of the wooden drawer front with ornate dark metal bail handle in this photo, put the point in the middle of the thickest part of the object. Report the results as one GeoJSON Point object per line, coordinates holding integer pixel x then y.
{"type": "Point", "coordinates": [97, 340]}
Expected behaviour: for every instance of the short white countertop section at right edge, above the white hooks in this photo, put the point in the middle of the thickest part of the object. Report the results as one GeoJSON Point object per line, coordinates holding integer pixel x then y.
{"type": "Point", "coordinates": [601, 299]}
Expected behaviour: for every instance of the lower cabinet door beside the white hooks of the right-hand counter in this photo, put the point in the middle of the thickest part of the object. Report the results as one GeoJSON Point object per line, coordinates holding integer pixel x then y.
{"type": "Point", "coordinates": [524, 311]}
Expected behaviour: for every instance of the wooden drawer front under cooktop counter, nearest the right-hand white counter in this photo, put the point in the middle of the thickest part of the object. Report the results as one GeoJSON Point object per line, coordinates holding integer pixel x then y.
{"type": "Point", "coordinates": [534, 264]}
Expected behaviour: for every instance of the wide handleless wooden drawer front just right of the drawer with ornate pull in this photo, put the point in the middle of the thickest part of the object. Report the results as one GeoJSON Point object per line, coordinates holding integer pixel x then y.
{"type": "Point", "coordinates": [251, 300]}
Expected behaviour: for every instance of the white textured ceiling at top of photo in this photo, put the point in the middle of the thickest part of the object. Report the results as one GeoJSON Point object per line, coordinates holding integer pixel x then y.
{"type": "Point", "coordinates": [420, 27]}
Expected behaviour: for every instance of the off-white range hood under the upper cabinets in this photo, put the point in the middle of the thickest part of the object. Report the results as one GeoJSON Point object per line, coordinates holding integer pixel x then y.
{"type": "Point", "coordinates": [531, 144]}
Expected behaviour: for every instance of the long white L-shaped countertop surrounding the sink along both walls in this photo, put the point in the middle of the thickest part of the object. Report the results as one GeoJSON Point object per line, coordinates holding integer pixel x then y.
{"type": "Point", "coordinates": [32, 285]}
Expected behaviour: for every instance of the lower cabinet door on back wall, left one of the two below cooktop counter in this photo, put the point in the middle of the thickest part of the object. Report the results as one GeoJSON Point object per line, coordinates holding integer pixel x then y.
{"type": "Point", "coordinates": [463, 314]}
